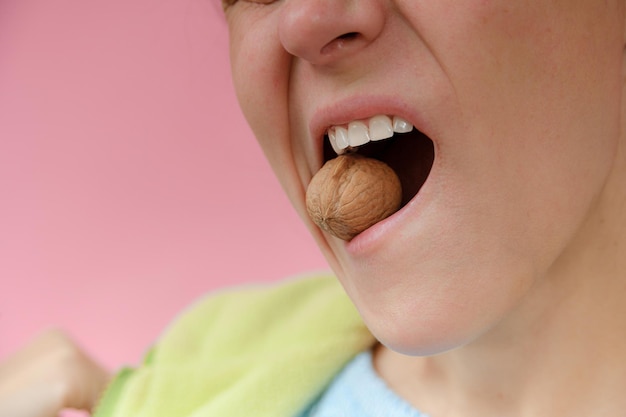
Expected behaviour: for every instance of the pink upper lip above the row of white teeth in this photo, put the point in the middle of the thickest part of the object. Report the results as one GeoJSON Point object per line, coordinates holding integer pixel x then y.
{"type": "Point", "coordinates": [357, 108]}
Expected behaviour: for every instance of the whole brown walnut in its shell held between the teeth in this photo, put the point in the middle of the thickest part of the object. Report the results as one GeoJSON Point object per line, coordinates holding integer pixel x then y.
{"type": "Point", "coordinates": [351, 193]}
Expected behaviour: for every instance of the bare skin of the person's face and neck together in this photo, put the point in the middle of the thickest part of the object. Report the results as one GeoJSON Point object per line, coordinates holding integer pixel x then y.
{"type": "Point", "coordinates": [499, 289]}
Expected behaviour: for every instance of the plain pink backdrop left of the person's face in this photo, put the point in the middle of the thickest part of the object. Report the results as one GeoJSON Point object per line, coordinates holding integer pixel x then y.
{"type": "Point", "coordinates": [130, 184]}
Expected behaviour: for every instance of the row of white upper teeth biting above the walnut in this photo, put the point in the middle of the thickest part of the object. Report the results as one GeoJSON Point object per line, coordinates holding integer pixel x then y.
{"type": "Point", "coordinates": [359, 132]}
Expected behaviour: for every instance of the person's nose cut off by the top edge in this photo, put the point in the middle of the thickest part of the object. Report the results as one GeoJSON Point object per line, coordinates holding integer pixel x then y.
{"type": "Point", "coordinates": [321, 31]}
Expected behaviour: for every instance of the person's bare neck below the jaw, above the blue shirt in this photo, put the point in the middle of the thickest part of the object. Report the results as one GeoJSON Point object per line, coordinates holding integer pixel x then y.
{"type": "Point", "coordinates": [562, 352]}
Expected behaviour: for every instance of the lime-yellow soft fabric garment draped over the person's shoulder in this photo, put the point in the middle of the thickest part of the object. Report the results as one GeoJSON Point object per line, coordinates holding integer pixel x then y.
{"type": "Point", "coordinates": [264, 351]}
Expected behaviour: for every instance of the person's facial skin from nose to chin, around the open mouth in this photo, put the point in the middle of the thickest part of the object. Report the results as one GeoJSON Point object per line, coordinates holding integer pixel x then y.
{"type": "Point", "coordinates": [520, 101]}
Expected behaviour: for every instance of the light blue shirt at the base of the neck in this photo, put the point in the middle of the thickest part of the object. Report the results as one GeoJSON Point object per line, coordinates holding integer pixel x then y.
{"type": "Point", "coordinates": [358, 391]}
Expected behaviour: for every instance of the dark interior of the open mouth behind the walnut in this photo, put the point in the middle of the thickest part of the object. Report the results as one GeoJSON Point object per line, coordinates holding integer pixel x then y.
{"type": "Point", "coordinates": [410, 154]}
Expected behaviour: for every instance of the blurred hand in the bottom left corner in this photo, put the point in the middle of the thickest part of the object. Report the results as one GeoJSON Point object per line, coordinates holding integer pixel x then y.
{"type": "Point", "coordinates": [50, 374]}
